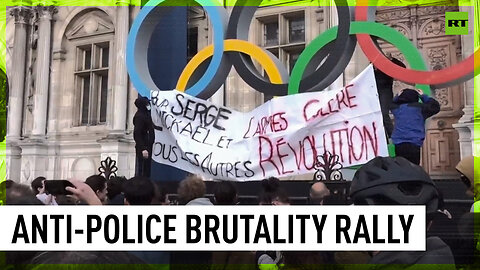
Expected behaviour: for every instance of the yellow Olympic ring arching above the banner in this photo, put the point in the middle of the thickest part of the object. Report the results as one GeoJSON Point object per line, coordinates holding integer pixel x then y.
{"type": "Point", "coordinates": [231, 45]}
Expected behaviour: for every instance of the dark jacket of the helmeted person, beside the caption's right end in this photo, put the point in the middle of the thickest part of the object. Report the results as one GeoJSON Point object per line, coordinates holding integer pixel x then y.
{"type": "Point", "coordinates": [437, 252]}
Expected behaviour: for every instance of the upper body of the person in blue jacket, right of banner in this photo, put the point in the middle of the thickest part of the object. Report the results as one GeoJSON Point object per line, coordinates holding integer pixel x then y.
{"type": "Point", "coordinates": [410, 116]}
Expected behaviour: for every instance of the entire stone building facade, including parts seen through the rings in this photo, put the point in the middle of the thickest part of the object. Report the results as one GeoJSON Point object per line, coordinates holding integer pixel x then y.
{"type": "Point", "coordinates": [71, 103]}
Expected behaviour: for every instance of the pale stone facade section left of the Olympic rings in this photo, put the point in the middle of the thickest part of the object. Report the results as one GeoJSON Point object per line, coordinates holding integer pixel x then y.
{"type": "Point", "coordinates": [71, 104]}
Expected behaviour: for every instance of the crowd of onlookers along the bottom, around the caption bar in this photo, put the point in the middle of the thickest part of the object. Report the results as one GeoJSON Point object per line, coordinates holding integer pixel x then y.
{"type": "Point", "coordinates": [382, 181]}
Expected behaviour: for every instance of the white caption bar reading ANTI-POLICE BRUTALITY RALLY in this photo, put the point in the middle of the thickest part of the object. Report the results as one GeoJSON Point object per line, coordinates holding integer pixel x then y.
{"type": "Point", "coordinates": [241, 228]}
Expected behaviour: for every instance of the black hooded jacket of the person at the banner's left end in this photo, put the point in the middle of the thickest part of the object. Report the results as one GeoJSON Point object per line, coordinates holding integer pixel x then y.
{"type": "Point", "coordinates": [143, 132]}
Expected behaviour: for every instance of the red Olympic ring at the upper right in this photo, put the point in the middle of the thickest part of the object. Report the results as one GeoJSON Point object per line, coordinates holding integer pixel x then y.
{"type": "Point", "coordinates": [438, 77]}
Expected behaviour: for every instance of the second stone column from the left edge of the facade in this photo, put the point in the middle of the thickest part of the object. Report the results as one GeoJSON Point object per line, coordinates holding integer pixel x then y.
{"type": "Point", "coordinates": [42, 77]}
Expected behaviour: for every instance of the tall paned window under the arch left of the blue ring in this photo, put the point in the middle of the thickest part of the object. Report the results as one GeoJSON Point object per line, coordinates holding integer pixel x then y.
{"type": "Point", "coordinates": [91, 79]}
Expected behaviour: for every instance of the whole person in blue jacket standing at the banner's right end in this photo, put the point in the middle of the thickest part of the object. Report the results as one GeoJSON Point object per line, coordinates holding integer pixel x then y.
{"type": "Point", "coordinates": [410, 115]}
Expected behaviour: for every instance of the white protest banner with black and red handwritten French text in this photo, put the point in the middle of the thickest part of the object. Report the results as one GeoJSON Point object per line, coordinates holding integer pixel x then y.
{"type": "Point", "coordinates": [280, 138]}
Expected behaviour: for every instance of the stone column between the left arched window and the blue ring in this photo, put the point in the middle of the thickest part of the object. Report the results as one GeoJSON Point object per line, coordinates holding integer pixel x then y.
{"type": "Point", "coordinates": [120, 85]}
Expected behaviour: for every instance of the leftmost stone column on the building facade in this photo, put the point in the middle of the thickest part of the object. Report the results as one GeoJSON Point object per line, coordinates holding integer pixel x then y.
{"type": "Point", "coordinates": [15, 111]}
